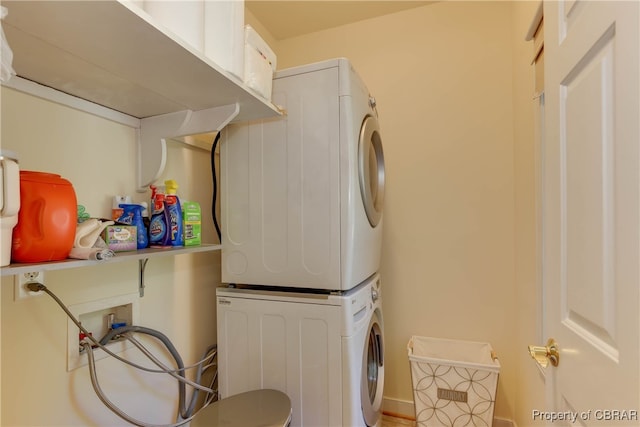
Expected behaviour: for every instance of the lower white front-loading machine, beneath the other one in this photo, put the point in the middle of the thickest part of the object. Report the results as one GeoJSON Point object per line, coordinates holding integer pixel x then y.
{"type": "Point", "coordinates": [325, 351]}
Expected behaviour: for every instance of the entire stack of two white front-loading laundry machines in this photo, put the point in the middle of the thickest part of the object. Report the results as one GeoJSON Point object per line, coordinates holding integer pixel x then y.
{"type": "Point", "coordinates": [301, 210]}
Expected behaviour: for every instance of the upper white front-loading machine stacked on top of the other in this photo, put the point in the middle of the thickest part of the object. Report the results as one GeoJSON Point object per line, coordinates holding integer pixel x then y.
{"type": "Point", "coordinates": [302, 195]}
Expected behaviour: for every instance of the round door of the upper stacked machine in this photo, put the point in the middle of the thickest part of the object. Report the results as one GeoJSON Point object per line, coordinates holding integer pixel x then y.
{"type": "Point", "coordinates": [371, 169]}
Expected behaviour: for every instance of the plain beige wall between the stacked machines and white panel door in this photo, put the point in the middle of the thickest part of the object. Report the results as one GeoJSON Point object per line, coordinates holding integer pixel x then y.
{"type": "Point", "coordinates": [454, 90]}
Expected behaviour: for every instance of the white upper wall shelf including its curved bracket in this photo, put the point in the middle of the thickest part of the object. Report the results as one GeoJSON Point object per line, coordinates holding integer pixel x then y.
{"type": "Point", "coordinates": [114, 54]}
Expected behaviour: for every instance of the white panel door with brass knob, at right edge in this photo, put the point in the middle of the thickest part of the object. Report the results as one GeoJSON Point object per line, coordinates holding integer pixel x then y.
{"type": "Point", "coordinates": [591, 216]}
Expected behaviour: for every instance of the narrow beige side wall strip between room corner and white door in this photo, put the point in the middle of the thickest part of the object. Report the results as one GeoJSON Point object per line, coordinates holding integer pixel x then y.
{"type": "Point", "coordinates": [530, 382]}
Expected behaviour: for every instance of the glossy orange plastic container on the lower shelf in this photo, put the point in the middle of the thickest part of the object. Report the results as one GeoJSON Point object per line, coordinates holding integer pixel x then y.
{"type": "Point", "coordinates": [47, 219]}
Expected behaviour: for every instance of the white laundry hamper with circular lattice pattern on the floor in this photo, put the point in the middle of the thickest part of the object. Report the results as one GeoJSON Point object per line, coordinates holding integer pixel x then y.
{"type": "Point", "coordinates": [454, 382]}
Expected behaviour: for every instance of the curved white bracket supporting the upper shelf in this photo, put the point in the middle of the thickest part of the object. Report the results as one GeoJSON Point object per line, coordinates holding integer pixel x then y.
{"type": "Point", "coordinates": [181, 125]}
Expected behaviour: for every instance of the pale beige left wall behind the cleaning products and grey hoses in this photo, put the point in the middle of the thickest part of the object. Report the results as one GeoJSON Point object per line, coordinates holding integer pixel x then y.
{"type": "Point", "coordinates": [99, 158]}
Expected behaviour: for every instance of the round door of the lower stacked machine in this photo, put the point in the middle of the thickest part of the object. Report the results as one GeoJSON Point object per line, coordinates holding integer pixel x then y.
{"type": "Point", "coordinates": [372, 372]}
